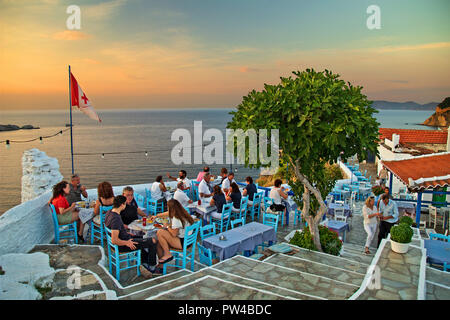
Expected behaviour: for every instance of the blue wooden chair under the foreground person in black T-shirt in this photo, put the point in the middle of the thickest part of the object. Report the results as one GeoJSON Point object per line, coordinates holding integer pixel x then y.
{"type": "Point", "coordinates": [116, 259]}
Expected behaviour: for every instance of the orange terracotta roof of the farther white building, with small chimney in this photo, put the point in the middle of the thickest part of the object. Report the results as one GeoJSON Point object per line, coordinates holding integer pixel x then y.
{"type": "Point", "coordinates": [415, 136]}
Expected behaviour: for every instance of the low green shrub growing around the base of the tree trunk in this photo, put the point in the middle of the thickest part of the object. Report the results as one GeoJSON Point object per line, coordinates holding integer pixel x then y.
{"type": "Point", "coordinates": [329, 240]}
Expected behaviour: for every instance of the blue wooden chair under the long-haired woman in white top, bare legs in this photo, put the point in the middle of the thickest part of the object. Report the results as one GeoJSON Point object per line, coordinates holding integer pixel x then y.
{"type": "Point", "coordinates": [182, 257]}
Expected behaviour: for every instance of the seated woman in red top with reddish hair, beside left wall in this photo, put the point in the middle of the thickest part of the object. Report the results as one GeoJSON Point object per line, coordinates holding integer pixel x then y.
{"type": "Point", "coordinates": [65, 214]}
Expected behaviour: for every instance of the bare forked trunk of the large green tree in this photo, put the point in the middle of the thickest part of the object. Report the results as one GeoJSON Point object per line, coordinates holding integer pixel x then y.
{"type": "Point", "coordinates": [313, 221]}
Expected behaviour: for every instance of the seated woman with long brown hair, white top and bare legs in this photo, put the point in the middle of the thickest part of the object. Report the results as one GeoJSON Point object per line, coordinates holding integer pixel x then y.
{"type": "Point", "coordinates": [173, 235]}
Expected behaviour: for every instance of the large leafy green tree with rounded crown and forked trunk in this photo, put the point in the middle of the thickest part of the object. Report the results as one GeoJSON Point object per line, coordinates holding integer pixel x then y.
{"type": "Point", "coordinates": [320, 118]}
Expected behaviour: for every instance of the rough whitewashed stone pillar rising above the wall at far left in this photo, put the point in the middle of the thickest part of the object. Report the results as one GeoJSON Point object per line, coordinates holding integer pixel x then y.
{"type": "Point", "coordinates": [39, 173]}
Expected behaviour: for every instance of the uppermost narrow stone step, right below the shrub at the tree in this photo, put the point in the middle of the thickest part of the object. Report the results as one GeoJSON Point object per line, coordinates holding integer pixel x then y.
{"type": "Point", "coordinates": [330, 260]}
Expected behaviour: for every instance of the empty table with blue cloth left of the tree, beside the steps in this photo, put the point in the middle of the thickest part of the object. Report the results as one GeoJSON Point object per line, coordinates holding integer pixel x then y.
{"type": "Point", "coordinates": [244, 238]}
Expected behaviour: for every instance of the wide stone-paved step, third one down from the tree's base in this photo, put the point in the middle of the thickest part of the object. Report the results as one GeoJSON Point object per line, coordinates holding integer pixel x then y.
{"type": "Point", "coordinates": [288, 278]}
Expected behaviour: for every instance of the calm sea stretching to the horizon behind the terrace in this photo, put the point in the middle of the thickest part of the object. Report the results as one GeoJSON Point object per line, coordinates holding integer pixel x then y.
{"type": "Point", "coordinates": [136, 144]}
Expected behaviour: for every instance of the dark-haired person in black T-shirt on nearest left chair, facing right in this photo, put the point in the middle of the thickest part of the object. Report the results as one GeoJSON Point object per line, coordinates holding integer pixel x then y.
{"type": "Point", "coordinates": [127, 242]}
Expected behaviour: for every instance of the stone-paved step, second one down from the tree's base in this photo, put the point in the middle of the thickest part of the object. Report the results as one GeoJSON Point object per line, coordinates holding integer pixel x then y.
{"type": "Point", "coordinates": [319, 269]}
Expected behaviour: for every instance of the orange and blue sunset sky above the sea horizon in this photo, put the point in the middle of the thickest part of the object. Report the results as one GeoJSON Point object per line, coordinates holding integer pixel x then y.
{"type": "Point", "coordinates": [209, 53]}
